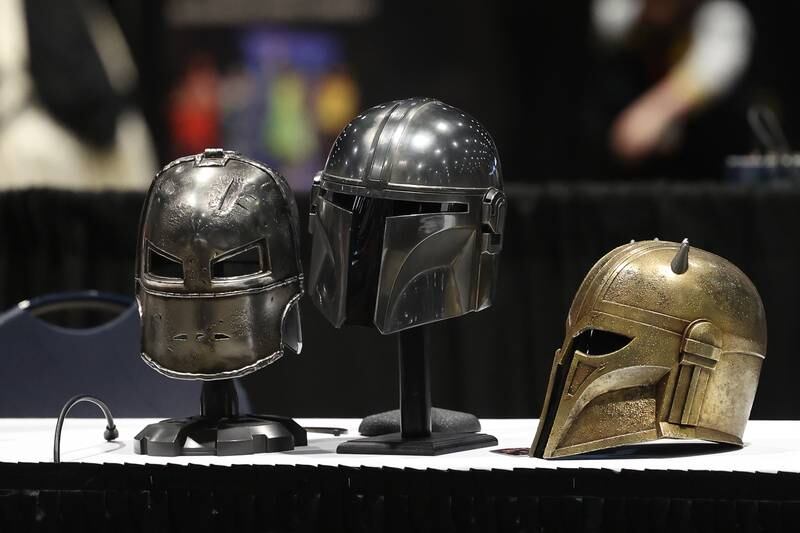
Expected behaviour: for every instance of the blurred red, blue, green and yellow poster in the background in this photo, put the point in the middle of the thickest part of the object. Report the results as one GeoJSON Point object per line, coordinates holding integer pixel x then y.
{"type": "Point", "coordinates": [280, 96]}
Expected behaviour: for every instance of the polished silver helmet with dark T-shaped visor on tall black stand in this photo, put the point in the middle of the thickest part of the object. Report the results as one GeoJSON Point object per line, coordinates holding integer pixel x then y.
{"type": "Point", "coordinates": [407, 218]}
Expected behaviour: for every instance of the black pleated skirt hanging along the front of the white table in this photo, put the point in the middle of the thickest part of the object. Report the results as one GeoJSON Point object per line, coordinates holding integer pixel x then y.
{"type": "Point", "coordinates": [123, 498]}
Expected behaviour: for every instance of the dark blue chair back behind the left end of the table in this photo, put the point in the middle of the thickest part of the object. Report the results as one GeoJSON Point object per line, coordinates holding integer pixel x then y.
{"type": "Point", "coordinates": [43, 365]}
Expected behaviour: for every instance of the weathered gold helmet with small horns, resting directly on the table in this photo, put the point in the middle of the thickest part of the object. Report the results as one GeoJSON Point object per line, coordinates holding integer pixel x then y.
{"type": "Point", "coordinates": [663, 341]}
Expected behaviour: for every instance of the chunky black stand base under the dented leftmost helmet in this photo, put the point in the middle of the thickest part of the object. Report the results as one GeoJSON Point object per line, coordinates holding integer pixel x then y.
{"type": "Point", "coordinates": [238, 435]}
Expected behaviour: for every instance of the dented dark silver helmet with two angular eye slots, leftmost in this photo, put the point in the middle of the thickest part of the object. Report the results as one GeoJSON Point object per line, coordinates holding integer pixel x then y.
{"type": "Point", "coordinates": [218, 276]}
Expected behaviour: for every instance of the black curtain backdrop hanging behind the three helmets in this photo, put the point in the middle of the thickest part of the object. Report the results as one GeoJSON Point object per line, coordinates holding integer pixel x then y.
{"type": "Point", "coordinates": [494, 363]}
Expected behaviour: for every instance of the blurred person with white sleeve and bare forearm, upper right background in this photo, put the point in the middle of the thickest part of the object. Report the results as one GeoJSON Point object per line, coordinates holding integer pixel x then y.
{"type": "Point", "coordinates": [668, 98]}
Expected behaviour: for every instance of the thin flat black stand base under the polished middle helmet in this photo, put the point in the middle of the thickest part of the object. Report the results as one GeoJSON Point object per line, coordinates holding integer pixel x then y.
{"type": "Point", "coordinates": [436, 444]}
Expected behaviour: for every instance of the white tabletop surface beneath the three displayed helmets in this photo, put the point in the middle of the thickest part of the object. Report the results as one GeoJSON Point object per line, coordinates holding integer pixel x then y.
{"type": "Point", "coordinates": [770, 446]}
